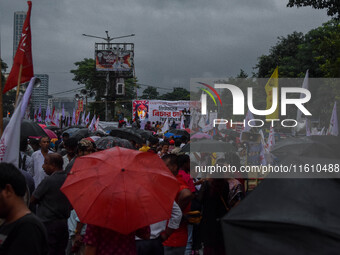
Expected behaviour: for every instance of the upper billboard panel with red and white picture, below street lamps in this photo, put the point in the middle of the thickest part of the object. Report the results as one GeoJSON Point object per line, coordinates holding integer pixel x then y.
{"type": "Point", "coordinates": [118, 59]}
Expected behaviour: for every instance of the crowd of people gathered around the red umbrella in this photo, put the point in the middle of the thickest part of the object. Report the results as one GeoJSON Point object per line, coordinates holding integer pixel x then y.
{"type": "Point", "coordinates": [38, 218]}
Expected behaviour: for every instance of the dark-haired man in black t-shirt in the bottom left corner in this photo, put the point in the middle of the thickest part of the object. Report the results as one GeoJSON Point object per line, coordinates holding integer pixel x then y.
{"type": "Point", "coordinates": [22, 232]}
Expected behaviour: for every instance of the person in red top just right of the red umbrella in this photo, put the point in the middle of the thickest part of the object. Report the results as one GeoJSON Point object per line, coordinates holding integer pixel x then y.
{"type": "Point", "coordinates": [177, 242]}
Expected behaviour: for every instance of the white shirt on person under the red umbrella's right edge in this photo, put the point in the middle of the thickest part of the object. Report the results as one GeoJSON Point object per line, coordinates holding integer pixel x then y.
{"type": "Point", "coordinates": [174, 221]}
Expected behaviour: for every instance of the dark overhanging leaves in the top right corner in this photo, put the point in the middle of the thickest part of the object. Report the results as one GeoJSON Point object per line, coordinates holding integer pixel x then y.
{"type": "Point", "coordinates": [332, 6]}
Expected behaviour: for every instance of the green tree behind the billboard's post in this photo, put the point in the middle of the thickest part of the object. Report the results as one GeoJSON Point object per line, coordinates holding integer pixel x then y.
{"type": "Point", "coordinates": [86, 74]}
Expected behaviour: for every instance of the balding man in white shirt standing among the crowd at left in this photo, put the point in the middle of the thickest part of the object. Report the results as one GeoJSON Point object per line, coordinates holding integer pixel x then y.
{"type": "Point", "coordinates": [38, 158]}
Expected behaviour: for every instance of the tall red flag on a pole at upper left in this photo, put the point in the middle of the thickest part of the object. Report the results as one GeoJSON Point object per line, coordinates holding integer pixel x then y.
{"type": "Point", "coordinates": [22, 57]}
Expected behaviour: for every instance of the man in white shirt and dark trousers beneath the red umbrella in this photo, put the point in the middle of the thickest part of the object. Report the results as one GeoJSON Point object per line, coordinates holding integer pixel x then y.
{"type": "Point", "coordinates": [160, 231]}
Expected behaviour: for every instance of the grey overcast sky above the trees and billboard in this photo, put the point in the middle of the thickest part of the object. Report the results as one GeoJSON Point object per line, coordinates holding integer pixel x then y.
{"type": "Point", "coordinates": [175, 40]}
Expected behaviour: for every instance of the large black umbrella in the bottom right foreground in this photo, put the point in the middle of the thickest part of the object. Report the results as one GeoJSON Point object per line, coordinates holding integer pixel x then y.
{"type": "Point", "coordinates": [286, 216]}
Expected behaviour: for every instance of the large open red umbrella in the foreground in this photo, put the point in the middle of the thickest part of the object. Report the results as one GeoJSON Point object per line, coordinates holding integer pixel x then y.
{"type": "Point", "coordinates": [121, 189]}
